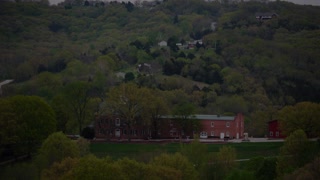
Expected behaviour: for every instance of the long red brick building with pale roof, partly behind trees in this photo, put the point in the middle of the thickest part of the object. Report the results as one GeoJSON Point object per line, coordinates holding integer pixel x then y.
{"type": "Point", "coordinates": [211, 126]}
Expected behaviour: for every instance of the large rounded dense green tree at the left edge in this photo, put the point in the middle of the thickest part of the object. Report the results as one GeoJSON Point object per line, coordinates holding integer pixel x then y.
{"type": "Point", "coordinates": [25, 121]}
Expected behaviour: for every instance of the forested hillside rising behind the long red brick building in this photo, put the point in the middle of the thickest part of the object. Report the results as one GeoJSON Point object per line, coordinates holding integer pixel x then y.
{"type": "Point", "coordinates": [238, 64]}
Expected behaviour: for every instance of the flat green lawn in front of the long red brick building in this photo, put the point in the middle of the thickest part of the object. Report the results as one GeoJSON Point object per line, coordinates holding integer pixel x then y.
{"type": "Point", "coordinates": [146, 151]}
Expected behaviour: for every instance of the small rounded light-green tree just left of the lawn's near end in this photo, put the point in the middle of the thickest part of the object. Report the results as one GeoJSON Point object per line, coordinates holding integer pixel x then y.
{"type": "Point", "coordinates": [56, 148]}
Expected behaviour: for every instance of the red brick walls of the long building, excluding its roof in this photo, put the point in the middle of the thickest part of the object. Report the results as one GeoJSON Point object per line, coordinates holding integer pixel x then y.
{"type": "Point", "coordinates": [106, 127]}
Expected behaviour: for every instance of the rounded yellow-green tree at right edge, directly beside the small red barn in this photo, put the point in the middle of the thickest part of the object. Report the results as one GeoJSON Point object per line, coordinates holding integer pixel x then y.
{"type": "Point", "coordinates": [303, 115]}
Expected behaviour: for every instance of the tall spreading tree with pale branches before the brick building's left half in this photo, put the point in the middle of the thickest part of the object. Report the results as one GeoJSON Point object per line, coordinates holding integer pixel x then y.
{"type": "Point", "coordinates": [130, 103]}
